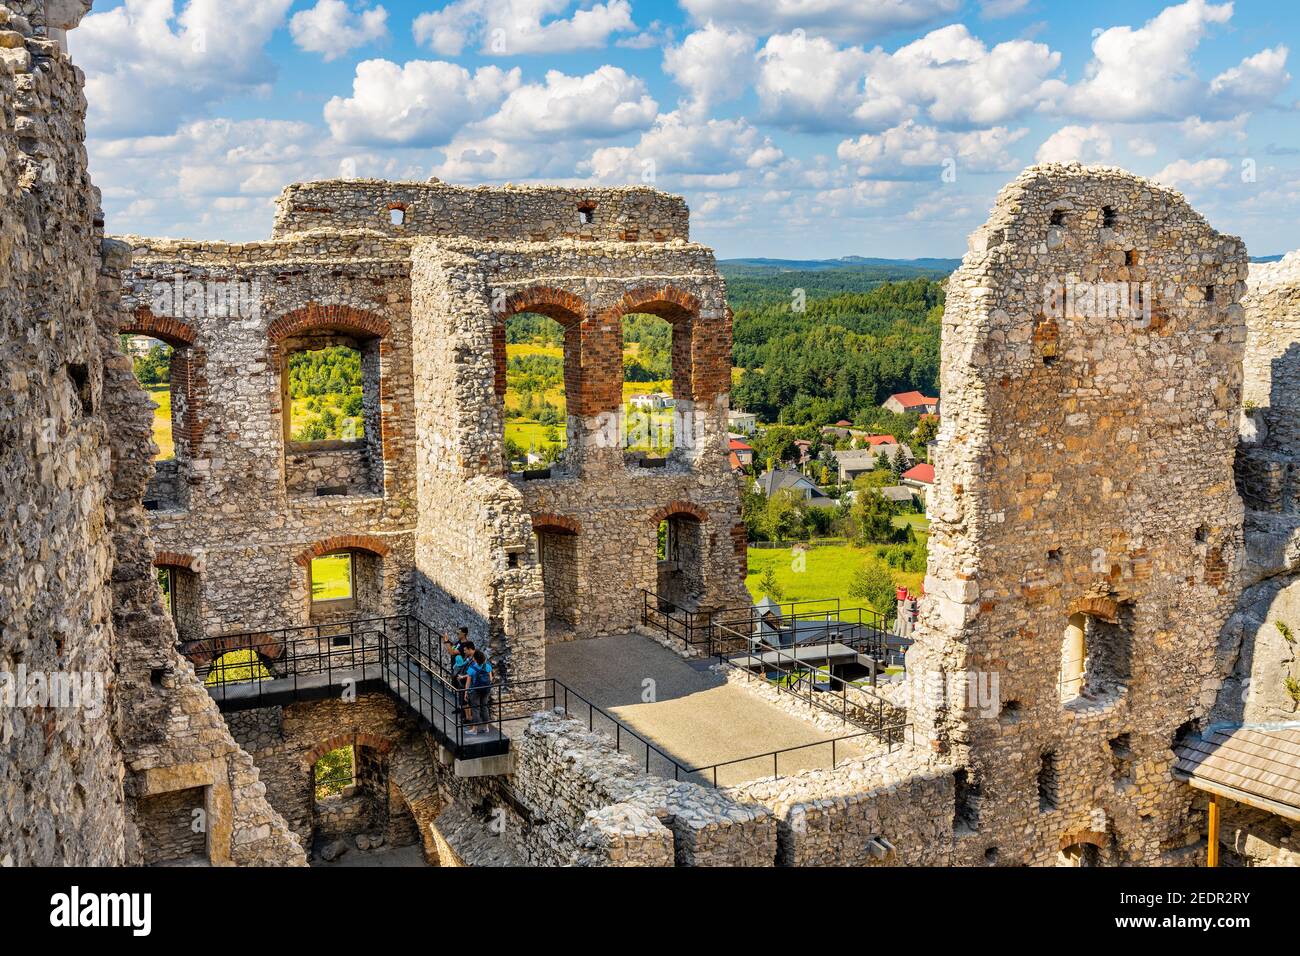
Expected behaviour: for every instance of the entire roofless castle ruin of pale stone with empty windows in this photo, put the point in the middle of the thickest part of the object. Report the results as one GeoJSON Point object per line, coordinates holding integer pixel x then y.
{"type": "Point", "coordinates": [1115, 535]}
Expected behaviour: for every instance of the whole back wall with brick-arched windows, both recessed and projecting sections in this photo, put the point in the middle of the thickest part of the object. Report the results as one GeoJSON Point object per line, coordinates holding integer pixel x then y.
{"type": "Point", "coordinates": [450, 534]}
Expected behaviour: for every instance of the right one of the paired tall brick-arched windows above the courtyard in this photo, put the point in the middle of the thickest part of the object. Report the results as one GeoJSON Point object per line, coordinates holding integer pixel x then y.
{"type": "Point", "coordinates": [648, 400]}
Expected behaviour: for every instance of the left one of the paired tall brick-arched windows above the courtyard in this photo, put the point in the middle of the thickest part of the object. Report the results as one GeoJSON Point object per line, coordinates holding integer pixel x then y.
{"type": "Point", "coordinates": [536, 399]}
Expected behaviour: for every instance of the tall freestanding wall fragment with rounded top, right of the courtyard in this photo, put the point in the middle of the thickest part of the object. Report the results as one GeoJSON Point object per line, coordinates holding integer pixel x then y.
{"type": "Point", "coordinates": [1093, 352]}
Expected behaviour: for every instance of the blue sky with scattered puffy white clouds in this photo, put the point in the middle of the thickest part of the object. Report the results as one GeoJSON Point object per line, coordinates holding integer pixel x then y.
{"type": "Point", "coordinates": [795, 128]}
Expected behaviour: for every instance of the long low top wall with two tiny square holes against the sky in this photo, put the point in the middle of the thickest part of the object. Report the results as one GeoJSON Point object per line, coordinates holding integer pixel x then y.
{"type": "Point", "coordinates": [626, 214]}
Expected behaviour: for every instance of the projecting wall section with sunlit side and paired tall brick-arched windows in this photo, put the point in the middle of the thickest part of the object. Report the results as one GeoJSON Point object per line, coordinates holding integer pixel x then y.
{"type": "Point", "coordinates": [476, 556]}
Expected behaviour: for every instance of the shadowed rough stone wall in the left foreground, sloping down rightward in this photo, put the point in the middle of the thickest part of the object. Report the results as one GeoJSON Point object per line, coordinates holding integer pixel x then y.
{"type": "Point", "coordinates": [81, 785]}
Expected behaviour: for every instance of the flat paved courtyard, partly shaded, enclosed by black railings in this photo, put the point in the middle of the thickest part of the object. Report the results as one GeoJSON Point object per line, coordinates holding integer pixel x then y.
{"type": "Point", "coordinates": [686, 711]}
